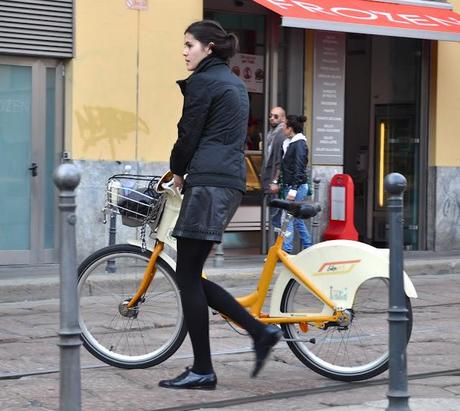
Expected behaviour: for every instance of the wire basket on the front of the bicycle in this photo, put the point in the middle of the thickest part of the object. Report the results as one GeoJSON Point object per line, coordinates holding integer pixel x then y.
{"type": "Point", "coordinates": [135, 199]}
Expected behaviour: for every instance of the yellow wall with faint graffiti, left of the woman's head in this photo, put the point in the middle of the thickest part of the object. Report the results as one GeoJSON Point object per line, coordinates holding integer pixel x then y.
{"type": "Point", "coordinates": [122, 102]}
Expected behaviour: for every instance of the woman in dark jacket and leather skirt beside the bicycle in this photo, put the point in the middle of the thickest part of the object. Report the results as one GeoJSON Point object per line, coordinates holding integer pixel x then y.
{"type": "Point", "coordinates": [210, 150]}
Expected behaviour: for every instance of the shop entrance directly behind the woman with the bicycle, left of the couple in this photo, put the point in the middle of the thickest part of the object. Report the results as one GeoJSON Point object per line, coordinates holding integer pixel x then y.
{"type": "Point", "coordinates": [271, 63]}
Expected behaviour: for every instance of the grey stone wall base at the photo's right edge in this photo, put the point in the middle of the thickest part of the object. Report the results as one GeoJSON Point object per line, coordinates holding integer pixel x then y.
{"type": "Point", "coordinates": [447, 208]}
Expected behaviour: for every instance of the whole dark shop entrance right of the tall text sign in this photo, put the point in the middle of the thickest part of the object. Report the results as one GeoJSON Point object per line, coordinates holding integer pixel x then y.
{"type": "Point", "coordinates": [385, 132]}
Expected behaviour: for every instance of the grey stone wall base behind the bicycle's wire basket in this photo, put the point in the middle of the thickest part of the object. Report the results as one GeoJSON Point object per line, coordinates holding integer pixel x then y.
{"type": "Point", "coordinates": [92, 234]}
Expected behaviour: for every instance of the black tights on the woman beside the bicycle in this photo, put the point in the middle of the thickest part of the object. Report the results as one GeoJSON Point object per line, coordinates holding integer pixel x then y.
{"type": "Point", "coordinates": [197, 294]}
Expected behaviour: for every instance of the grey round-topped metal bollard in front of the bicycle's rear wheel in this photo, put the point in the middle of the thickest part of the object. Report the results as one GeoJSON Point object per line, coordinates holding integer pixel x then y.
{"type": "Point", "coordinates": [398, 396]}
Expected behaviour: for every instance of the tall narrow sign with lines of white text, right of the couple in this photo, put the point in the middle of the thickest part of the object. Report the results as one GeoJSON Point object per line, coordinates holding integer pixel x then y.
{"type": "Point", "coordinates": [328, 98]}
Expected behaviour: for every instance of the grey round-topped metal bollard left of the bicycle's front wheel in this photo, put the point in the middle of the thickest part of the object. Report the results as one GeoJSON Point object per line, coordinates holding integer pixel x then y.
{"type": "Point", "coordinates": [66, 178]}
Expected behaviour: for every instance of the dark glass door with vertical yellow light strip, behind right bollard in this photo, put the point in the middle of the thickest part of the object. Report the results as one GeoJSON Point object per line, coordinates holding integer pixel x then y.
{"type": "Point", "coordinates": [397, 138]}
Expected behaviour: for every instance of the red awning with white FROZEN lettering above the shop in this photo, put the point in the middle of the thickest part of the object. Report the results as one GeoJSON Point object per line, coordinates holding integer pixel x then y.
{"type": "Point", "coordinates": [437, 22]}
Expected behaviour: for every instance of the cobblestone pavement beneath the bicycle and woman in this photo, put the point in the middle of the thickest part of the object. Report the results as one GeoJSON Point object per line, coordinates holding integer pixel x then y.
{"type": "Point", "coordinates": [28, 338]}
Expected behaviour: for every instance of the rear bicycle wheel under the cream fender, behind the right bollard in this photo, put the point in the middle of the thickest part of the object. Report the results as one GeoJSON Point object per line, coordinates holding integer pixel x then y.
{"type": "Point", "coordinates": [354, 352]}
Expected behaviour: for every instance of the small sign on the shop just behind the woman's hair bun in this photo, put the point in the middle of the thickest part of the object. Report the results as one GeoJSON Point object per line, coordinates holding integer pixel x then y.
{"type": "Point", "coordinates": [250, 69]}
